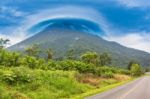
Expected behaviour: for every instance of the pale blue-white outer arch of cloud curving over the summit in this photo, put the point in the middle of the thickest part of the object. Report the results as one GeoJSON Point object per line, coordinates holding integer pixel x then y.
{"type": "Point", "coordinates": [86, 13]}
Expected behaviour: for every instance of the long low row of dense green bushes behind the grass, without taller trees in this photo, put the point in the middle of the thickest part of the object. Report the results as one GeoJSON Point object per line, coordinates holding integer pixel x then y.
{"type": "Point", "coordinates": [9, 59]}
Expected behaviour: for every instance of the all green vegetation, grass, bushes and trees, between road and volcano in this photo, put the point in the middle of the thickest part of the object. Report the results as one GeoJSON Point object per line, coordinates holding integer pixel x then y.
{"type": "Point", "coordinates": [28, 76]}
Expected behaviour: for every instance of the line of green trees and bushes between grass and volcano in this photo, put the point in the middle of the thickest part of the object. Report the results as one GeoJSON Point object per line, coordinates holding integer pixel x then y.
{"type": "Point", "coordinates": [89, 62]}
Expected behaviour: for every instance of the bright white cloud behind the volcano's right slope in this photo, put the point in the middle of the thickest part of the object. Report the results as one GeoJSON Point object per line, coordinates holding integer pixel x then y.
{"type": "Point", "coordinates": [133, 40]}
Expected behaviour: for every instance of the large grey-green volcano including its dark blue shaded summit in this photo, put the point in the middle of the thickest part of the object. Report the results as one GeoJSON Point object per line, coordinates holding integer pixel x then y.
{"type": "Point", "coordinates": [62, 36]}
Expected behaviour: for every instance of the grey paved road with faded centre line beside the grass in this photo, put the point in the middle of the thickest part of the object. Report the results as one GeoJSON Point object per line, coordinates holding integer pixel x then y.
{"type": "Point", "coordinates": [138, 89]}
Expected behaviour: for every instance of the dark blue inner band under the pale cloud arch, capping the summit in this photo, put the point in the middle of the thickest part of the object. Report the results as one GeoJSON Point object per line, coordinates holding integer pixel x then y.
{"type": "Point", "coordinates": [80, 25]}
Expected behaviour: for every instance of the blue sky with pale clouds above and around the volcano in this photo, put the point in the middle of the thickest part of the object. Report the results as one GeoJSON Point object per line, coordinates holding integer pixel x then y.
{"type": "Point", "coordinates": [124, 21]}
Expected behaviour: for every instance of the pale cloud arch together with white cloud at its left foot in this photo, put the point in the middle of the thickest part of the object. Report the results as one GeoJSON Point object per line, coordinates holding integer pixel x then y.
{"type": "Point", "coordinates": [16, 34]}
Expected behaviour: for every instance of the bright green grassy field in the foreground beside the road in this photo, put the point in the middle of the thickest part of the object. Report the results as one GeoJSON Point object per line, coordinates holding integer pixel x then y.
{"type": "Point", "coordinates": [25, 83]}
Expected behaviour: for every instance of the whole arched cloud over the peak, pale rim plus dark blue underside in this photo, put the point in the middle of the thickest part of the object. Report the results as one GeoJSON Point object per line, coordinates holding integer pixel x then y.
{"type": "Point", "coordinates": [84, 16]}
